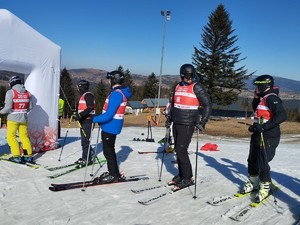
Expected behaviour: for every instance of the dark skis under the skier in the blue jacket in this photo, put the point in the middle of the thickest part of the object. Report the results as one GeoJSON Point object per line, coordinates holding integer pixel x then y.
{"type": "Point", "coordinates": [94, 182]}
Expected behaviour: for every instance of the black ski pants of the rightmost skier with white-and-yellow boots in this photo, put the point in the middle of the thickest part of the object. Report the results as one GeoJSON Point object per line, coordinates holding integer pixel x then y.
{"type": "Point", "coordinates": [260, 156]}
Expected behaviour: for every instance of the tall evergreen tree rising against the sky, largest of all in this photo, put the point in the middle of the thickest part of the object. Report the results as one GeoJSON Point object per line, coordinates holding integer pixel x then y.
{"type": "Point", "coordinates": [216, 60]}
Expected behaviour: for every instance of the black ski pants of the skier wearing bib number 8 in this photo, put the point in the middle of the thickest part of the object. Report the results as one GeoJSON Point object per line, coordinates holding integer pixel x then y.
{"type": "Point", "coordinates": [182, 135]}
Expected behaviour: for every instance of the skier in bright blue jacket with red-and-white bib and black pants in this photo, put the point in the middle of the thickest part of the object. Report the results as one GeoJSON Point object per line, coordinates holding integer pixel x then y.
{"type": "Point", "coordinates": [111, 121]}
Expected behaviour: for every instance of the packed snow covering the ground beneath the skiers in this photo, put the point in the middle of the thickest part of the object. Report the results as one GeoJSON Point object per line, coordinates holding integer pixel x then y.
{"type": "Point", "coordinates": [26, 199]}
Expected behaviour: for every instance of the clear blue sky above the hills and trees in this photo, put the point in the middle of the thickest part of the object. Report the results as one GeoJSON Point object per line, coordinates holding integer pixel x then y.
{"type": "Point", "coordinates": [104, 34]}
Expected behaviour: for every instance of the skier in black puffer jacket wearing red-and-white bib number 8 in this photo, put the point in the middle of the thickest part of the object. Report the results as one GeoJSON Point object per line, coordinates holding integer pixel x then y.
{"type": "Point", "coordinates": [188, 96]}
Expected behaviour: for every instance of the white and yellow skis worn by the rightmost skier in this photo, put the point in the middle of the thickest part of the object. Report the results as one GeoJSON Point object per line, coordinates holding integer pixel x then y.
{"type": "Point", "coordinates": [240, 215]}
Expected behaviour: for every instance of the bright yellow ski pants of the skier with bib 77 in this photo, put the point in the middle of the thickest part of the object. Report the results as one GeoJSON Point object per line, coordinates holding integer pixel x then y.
{"type": "Point", "coordinates": [11, 135]}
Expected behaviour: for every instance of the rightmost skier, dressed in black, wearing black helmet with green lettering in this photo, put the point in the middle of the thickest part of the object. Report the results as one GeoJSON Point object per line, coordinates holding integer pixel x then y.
{"type": "Point", "coordinates": [269, 113]}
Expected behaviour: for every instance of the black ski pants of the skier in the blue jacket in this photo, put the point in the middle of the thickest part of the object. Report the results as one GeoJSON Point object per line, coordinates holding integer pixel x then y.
{"type": "Point", "coordinates": [108, 141]}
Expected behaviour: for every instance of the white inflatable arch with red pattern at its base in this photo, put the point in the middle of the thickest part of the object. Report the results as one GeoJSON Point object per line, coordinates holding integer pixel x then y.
{"type": "Point", "coordinates": [24, 50]}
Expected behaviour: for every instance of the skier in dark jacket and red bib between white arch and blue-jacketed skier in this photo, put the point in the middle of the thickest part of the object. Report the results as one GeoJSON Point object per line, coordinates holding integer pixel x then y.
{"type": "Point", "coordinates": [86, 109]}
